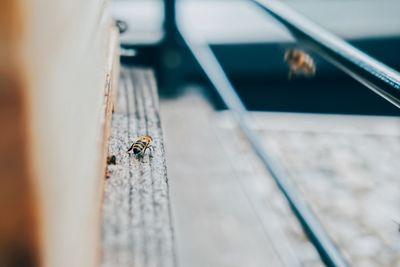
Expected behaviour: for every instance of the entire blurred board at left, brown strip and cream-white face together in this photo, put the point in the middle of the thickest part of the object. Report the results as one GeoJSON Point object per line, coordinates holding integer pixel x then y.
{"type": "Point", "coordinates": [56, 77]}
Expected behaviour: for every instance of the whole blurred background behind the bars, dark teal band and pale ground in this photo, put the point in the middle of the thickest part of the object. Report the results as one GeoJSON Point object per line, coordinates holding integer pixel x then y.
{"type": "Point", "coordinates": [338, 141]}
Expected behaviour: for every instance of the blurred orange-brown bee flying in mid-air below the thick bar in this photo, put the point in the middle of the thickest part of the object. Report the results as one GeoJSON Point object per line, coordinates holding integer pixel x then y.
{"type": "Point", "coordinates": [300, 63]}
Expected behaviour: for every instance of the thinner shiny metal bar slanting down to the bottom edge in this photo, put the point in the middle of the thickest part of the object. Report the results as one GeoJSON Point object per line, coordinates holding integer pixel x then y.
{"type": "Point", "coordinates": [312, 227]}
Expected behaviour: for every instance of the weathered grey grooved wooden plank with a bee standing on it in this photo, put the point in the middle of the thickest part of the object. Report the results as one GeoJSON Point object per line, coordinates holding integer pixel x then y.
{"type": "Point", "coordinates": [137, 228]}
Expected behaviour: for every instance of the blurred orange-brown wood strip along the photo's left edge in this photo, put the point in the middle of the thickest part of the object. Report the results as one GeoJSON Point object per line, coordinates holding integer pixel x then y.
{"type": "Point", "coordinates": [19, 233]}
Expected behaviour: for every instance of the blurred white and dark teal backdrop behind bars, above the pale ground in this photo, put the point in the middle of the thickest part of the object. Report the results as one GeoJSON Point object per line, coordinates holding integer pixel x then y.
{"type": "Point", "coordinates": [250, 45]}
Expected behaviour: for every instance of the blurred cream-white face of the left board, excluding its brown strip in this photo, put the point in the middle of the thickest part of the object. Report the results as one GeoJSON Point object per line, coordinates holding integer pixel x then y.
{"type": "Point", "coordinates": [66, 50]}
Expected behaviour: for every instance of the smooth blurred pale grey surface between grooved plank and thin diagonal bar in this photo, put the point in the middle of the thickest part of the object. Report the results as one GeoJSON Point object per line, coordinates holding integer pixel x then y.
{"type": "Point", "coordinates": [227, 210]}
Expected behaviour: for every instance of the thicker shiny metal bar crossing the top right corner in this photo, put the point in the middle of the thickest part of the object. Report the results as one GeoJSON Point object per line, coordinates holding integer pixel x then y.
{"type": "Point", "coordinates": [378, 77]}
